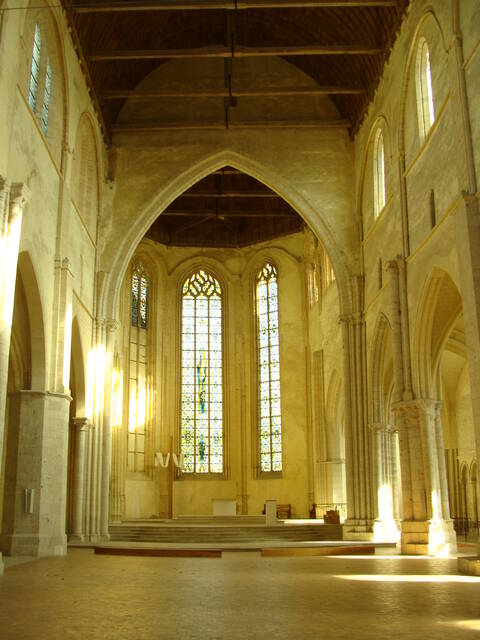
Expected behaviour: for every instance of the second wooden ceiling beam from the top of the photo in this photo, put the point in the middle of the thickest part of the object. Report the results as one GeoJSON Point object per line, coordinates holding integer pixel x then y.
{"type": "Point", "coordinates": [239, 52]}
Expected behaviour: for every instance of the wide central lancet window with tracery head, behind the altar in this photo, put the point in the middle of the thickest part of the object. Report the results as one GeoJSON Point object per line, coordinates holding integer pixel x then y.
{"type": "Point", "coordinates": [202, 395]}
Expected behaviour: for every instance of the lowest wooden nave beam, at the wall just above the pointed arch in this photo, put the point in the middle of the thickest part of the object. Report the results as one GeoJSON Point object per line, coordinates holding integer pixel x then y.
{"type": "Point", "coordinates": [151, 127]}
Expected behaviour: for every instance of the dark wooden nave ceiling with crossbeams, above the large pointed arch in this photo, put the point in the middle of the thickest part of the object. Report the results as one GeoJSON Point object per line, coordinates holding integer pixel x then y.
{"type": "Point", "coordinates": [341, 45]}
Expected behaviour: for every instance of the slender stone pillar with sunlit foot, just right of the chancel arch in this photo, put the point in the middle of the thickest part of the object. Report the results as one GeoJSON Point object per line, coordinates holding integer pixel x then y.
{"type": "Point", "coordinates": [385, 527]}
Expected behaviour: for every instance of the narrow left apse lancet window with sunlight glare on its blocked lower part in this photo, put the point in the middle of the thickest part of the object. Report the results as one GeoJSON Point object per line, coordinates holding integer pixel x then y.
{"type": "Point", "coordinates": [138, 384]}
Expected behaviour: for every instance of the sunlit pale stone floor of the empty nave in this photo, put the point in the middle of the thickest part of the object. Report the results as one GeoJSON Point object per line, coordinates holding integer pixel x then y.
{"type": "Point", "coordinates": [238, 596]}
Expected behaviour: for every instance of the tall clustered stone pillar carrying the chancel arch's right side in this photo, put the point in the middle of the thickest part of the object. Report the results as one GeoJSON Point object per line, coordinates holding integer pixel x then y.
{"type": "Point", "coordinates": [359, 523]}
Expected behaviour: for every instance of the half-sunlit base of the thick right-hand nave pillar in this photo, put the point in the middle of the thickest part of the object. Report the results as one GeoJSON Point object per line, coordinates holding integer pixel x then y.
{"type": "Point", "coordinates": [428, 537]}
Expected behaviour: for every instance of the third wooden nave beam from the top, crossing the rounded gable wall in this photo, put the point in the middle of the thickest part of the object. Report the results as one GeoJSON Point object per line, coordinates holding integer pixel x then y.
{"type": "Point", "coordinates": [224, 93]}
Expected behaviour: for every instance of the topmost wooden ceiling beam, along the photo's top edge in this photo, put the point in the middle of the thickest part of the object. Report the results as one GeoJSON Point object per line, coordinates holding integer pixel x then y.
{"type": "Point", "coordinates": [183, 5]}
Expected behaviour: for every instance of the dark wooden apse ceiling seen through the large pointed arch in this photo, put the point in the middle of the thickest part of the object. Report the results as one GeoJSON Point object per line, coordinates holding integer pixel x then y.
{"type": "Point", "coordinates": [226, 209]}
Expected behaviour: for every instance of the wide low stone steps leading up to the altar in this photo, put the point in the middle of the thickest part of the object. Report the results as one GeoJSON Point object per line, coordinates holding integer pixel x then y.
{"type": "Point", "coordinates": [213, 534]}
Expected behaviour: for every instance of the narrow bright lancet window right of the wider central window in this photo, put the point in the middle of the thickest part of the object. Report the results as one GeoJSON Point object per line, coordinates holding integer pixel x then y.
{"type": "Point", "coordinates": [270, 418]}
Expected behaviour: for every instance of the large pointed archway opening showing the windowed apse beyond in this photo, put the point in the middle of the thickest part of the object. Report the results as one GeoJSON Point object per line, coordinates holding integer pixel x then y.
{"type": "Point", "coordinates": [235, 232]}
